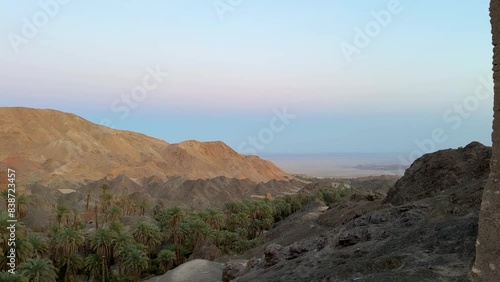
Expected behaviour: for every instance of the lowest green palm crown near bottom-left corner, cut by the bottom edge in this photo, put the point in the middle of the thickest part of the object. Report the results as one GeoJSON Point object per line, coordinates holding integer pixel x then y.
{"type": "Point", "coordinates": [38, 270]}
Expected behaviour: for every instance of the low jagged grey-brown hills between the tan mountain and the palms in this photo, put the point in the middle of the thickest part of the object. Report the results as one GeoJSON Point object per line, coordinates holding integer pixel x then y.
{"type": "Point", "coordinates": [154, 191]}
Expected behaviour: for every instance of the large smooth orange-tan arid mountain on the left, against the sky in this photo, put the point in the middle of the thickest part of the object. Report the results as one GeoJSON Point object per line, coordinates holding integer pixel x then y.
{"type": "Point", "coordinates": [63, 150]}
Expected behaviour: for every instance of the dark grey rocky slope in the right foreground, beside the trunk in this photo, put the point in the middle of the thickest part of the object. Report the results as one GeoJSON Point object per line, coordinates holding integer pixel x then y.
{"type": "Point", "coordinates": [425, 230]}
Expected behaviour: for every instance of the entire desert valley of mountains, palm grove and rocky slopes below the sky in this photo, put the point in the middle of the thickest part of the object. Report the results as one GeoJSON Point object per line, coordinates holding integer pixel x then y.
{"type": "Point", "coordinates": [112, 205]}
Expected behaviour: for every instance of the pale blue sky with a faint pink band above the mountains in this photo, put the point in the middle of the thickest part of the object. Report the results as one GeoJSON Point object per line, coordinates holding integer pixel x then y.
{"type": "Point", "coordinates": [263, 76]}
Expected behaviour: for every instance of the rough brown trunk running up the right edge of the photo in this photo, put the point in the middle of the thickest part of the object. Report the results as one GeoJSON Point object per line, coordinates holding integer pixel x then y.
{"type": "Point", "coordinates": [487, 264]}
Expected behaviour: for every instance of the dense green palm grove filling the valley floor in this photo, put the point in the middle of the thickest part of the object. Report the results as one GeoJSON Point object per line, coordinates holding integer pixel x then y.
{"type": "Point", "coordinates": [107, 250]}
